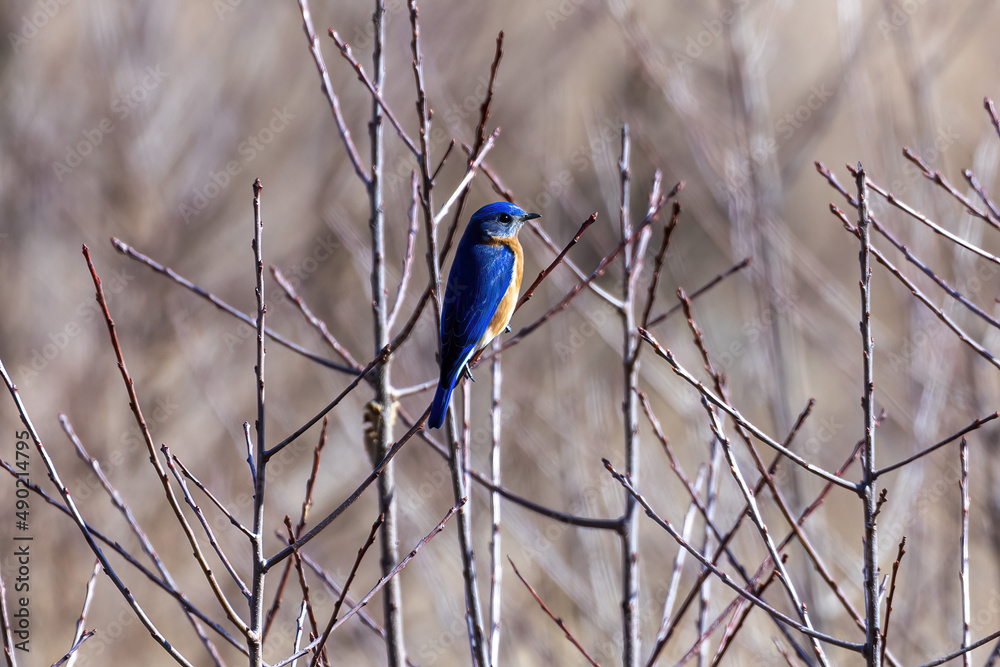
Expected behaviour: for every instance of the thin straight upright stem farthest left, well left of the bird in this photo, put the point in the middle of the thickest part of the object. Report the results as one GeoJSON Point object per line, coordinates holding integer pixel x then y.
{"type": "Point", "coordinates": [256, 631]}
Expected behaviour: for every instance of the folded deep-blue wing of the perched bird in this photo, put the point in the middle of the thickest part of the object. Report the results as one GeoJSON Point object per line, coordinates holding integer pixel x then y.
{"type": "Point", "coordinates": [479, 279]}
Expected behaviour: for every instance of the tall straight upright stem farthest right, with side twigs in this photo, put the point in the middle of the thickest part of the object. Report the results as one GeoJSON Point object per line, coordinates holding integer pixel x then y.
{"type": "Point", "coordinates": [873, 644]}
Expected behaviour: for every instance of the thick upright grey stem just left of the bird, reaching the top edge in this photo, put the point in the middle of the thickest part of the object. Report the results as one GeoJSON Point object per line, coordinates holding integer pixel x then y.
{"type": "Point", "coordinates": [384, 399]}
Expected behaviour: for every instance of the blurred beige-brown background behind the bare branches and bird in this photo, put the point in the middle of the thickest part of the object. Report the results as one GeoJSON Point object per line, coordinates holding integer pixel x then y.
{"type": "Point", "coordinates": [149, 122]}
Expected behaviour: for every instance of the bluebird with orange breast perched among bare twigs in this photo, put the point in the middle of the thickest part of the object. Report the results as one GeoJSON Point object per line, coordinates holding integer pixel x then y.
{"type": "Point", "coordinates": [482, 291]}
